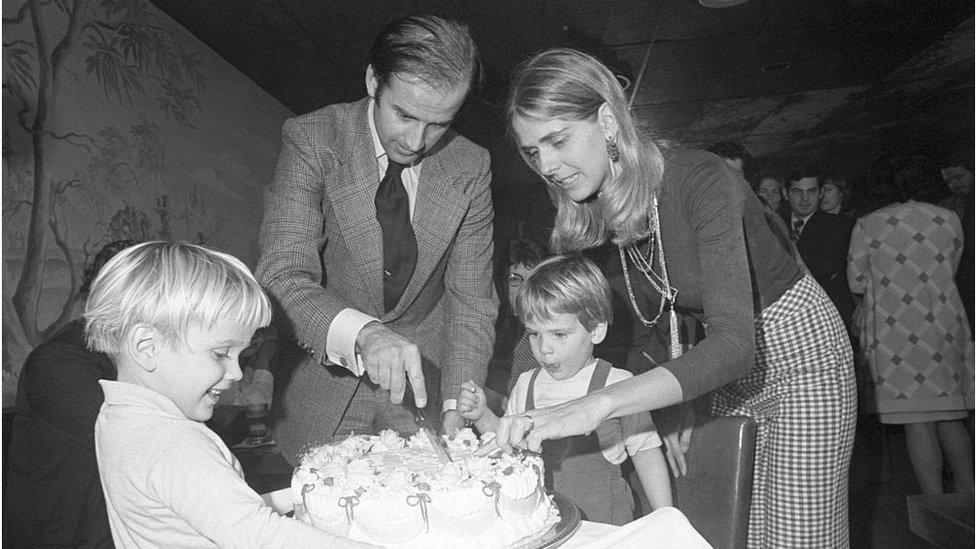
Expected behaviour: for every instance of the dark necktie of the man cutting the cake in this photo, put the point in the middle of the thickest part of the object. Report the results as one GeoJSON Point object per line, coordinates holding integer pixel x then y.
{"type": "Point", "coordinates": [399, 242]}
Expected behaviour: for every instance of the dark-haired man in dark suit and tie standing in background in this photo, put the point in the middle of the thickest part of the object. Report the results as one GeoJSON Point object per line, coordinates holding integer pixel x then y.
{"type": "Point", "coordinates": [821, 238]}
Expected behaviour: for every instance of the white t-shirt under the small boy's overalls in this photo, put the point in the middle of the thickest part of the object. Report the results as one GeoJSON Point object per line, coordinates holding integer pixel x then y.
{"type": "Point", "coordinates": [619, 437]}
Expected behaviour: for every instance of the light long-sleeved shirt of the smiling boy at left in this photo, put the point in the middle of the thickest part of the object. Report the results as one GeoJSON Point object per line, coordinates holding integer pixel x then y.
{"type": "Point", "coordinates": [171, 482]}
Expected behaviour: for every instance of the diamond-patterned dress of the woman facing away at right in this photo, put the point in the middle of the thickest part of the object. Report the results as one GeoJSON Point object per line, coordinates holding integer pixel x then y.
{"type": "Point", "coordinates": [914, 332]}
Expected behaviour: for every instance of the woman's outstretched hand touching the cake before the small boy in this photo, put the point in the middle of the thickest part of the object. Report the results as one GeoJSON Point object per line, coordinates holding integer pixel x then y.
{"type": "Point", "coordinates": [528, 430]}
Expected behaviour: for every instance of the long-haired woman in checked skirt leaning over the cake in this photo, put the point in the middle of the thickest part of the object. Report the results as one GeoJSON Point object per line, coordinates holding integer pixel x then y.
{"type": "Point", "coordinates": [692, 236]}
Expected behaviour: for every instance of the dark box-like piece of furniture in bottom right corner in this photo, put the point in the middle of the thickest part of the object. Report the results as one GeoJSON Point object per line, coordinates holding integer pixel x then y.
{"type": "Point", "coordinates": [945, 520]}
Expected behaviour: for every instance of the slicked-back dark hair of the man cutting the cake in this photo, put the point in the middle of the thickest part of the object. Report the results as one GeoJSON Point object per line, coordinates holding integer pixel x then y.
{"type": "Point", "coordinates": [438, 51]}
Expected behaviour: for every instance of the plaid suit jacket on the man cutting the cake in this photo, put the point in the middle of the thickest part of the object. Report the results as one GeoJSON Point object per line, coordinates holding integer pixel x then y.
{"type": "Point", "coordinates": [321, 251]}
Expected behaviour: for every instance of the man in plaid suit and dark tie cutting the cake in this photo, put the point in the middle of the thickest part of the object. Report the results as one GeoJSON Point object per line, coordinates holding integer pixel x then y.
{"type": "Point", "coordinates": [377, 243]}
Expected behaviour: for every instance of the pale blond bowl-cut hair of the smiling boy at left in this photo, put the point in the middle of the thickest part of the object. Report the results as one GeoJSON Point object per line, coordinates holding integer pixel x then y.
{"type": "Point", "coordinates": [170, 286]}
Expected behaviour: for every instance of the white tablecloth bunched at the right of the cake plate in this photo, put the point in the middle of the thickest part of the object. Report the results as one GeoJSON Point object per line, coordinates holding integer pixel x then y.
{"type": "Point", "coordinates": [666, 528]}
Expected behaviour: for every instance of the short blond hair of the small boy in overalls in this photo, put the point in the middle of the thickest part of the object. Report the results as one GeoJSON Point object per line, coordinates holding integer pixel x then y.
{"type": "Point", "coordinates": [565, 284]}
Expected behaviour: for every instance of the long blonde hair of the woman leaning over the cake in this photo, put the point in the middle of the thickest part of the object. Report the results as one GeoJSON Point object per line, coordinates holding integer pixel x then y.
{"type": "Point", "coordinates": [568, 84]}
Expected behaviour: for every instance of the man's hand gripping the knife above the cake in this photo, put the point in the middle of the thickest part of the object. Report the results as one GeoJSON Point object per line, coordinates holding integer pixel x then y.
{"type": "Point", "coordinates": [391, 361]}
